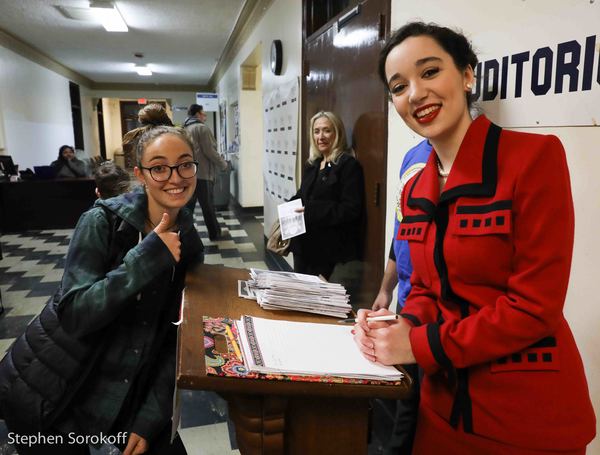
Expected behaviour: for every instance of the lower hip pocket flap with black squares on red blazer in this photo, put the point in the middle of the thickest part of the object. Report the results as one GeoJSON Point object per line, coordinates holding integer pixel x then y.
{"type": "Point", "coordinates": [541, 356]}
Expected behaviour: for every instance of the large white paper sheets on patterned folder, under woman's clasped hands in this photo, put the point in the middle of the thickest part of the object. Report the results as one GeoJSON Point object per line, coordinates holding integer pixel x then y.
{"type": "Point", "coordinates": [306, 349]}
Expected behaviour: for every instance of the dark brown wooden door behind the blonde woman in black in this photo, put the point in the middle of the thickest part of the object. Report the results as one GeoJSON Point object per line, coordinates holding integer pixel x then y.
{"type": "Point", "coordinates": [340, 75]}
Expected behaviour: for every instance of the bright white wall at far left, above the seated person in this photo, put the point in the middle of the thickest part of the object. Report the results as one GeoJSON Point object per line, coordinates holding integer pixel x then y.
{"type": "Point", "coordinates": [36, 111]}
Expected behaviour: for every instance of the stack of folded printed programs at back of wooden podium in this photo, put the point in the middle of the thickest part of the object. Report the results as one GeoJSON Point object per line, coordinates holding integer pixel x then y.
{"type": "Point", "coordinates": [296, 292]}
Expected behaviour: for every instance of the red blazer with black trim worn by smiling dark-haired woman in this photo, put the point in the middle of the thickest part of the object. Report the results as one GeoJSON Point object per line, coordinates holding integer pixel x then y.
{"type": "Point", "coordinates": [492, 257]}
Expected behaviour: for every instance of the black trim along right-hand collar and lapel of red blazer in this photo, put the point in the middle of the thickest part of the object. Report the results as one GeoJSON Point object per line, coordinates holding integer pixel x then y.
{"type": "Point", "coordinates": [489, 170]}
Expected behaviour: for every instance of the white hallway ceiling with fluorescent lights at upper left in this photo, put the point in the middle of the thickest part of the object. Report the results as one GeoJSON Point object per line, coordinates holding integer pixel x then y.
{"type": "Point", "coordinates": [181, 40]}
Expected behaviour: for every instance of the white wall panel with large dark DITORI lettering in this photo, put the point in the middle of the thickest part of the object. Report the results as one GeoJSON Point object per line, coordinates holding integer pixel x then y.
{"type": "Point", "coordinates": [537, 70]}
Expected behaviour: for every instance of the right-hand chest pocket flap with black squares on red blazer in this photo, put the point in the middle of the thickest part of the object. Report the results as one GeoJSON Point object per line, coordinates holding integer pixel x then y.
{"type": "Point", "coordinates": [487, 219]}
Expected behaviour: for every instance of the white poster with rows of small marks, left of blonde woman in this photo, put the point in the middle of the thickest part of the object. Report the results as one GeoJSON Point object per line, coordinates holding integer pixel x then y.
{"type": "Point", "coordinates": [281, 136]}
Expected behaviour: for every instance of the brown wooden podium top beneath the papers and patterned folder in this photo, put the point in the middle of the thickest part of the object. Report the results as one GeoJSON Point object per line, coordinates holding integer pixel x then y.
{"type": "Point", "coordinates": [211, 290]}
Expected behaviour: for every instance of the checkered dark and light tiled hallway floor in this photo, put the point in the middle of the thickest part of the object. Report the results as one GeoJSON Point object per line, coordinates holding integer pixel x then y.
{"type": "Point", "coordinates": [31, 270]}
